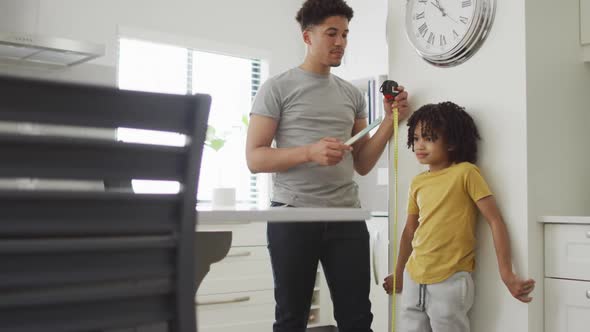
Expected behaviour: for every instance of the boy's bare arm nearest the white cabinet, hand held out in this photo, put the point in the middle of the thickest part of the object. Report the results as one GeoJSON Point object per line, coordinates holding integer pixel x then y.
{"type": "Point", "coordinates": [519, 288]}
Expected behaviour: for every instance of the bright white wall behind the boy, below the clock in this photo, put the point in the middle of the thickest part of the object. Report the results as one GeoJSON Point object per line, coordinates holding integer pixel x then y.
{"type": "Point", "coordinates": [492, 86]}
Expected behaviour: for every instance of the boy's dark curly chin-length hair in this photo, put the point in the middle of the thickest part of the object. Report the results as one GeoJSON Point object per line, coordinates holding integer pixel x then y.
{"type": "Point", "coordinates": [450, 121]}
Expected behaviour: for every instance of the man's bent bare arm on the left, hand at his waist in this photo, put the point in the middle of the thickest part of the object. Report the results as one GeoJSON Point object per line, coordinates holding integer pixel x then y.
{"type": "Point", "coordinates": [262, 158]}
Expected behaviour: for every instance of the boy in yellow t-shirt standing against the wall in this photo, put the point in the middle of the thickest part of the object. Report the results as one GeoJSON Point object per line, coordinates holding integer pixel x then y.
{"type": "Point", "coordinates": [438, 242]}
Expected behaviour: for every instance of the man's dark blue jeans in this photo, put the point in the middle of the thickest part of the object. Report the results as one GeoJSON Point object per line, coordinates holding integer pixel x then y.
{"type": "Point", "coordinates": [343, 249]}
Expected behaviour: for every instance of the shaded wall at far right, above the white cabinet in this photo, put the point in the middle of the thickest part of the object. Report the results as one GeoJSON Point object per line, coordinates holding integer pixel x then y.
{"type": "Point", "coordinates": [558, 116]}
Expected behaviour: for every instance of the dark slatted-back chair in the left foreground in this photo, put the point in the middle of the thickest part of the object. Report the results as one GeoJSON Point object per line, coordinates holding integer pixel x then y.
{"type": "Point", "coordinates": [97, 260]}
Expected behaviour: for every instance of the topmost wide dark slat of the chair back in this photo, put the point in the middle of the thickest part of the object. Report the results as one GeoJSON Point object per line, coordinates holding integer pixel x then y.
{"type": "Point", "coordinates": [80, 105]}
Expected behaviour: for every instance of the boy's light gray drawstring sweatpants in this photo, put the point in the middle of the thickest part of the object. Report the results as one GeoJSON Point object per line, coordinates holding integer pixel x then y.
{"type": "Point", "coordinates": [440, 307]}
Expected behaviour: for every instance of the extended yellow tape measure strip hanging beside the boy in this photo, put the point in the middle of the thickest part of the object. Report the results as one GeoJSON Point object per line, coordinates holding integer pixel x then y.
{"type": "Point", "coordinates": [395, 180]}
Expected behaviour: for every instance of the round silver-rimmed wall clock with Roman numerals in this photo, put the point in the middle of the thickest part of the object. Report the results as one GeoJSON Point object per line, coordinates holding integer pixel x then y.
{"type": "Point", "coordinates": [446, 33]}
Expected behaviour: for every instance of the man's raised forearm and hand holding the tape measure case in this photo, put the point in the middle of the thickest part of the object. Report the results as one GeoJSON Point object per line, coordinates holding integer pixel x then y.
{"type": "Point", "coordinates": [366, 151]}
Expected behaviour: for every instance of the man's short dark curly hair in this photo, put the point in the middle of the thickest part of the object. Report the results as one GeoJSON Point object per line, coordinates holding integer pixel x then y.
{"type": "Point", "coordinates": [316, 11]}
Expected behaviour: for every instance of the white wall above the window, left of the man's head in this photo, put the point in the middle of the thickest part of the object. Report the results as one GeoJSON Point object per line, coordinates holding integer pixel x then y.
{"type": "Point", "coordinates": [266, 26]}
